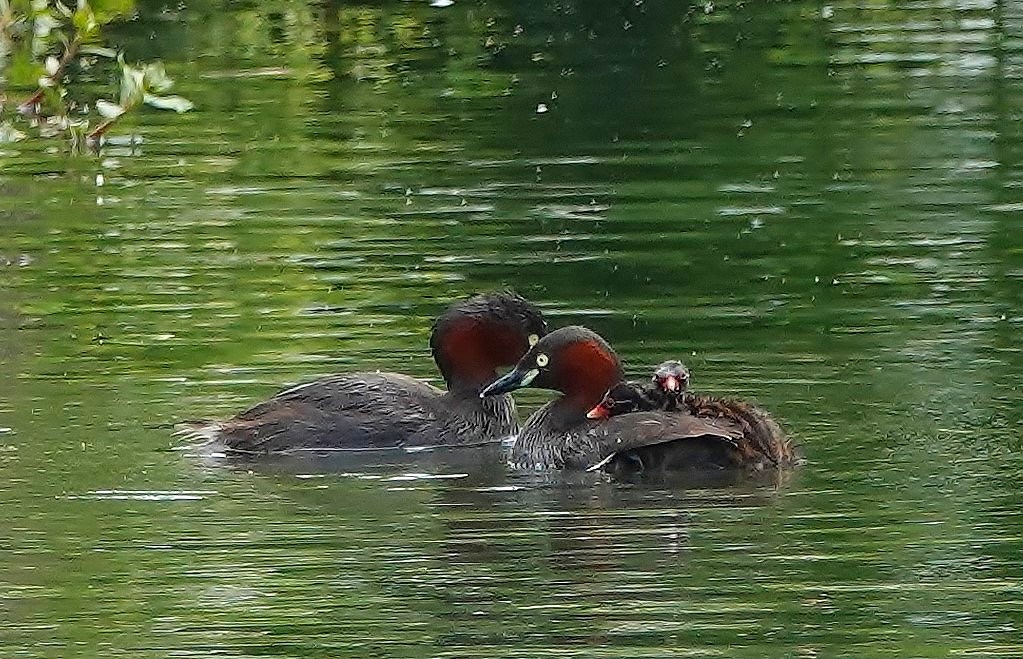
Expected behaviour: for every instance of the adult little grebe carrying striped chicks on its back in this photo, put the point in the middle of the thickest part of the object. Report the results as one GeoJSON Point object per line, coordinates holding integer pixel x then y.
{"type": "Point", "coordinates": [580, 364]}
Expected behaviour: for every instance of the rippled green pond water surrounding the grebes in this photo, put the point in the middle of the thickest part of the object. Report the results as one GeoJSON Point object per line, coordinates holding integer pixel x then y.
{"type": "Point", "coordinates": [817, 206]}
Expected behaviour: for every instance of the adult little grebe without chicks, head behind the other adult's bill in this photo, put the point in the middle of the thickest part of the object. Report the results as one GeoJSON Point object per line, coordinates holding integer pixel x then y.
{"type": "Point", "coordinates": [470, 341]}
